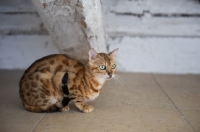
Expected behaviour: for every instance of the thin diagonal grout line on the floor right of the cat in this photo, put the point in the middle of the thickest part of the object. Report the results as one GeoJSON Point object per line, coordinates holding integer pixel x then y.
{"type": "Point", "coordinates": [153, 76]}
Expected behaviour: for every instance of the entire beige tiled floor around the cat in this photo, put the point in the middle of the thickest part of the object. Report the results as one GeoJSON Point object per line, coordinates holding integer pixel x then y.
{"type": "Point", "coordinates": [142, 103]}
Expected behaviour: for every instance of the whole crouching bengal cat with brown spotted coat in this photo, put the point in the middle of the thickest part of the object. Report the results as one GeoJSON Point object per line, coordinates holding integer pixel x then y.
{"type": "Point", "coordinates": [54, 81]}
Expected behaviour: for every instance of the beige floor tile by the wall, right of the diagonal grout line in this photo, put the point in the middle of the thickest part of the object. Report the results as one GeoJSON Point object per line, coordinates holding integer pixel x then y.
{"type": "Point", "coordinates": [184, 90]}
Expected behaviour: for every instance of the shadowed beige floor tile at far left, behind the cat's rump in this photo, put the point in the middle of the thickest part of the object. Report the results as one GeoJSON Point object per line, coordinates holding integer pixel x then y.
{"type": "Point", "coordinates": [13, 117]}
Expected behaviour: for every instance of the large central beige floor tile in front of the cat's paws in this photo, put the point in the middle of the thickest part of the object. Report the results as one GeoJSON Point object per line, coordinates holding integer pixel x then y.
{"type": "Point", "coordinates": [136, 105]}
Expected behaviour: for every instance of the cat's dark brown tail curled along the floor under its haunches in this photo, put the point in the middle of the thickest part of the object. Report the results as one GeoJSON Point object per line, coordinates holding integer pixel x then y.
{"type": "Point", "coordinates": [39, 109]}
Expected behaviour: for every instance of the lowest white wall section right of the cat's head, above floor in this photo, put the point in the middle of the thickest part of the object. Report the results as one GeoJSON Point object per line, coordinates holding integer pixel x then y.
{"type": "Point", "coordinates": [158, 55]}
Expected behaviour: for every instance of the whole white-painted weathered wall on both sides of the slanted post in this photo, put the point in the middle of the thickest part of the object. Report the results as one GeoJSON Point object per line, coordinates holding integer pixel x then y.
{"type": "Point", "coordinates": [152, 36]}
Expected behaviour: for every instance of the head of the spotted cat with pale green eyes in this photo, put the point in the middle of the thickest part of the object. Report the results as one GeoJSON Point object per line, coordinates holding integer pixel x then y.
{"type": "Point", "coordinates": [101, 64]}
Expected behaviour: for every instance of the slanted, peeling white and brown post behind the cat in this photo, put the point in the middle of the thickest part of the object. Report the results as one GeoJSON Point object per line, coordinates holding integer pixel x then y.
{"type": "Point", "coordinates": [75, 26]}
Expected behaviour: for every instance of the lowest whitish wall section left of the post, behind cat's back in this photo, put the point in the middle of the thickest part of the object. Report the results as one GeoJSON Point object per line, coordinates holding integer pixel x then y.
{"type": "Point", "coordinates": [19, 51]}
